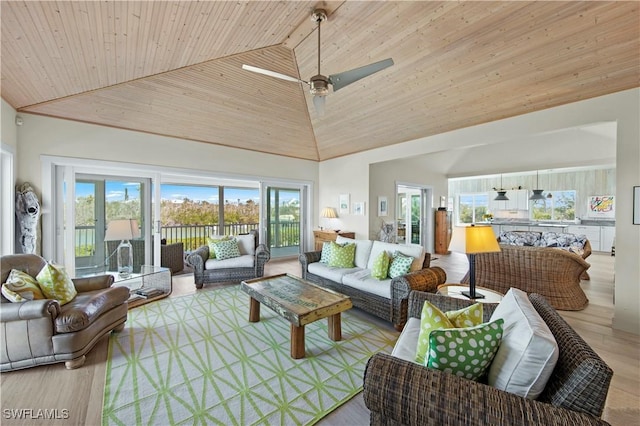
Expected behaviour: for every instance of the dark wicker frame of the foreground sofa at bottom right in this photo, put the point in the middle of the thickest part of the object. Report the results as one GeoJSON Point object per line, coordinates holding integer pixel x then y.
{"type": "Point", "coordinates": [400, 392]}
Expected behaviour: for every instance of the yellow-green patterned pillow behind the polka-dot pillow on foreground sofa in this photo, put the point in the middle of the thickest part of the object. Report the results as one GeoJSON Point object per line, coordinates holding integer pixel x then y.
{"type": "Point", "coordinates": [433, 318]}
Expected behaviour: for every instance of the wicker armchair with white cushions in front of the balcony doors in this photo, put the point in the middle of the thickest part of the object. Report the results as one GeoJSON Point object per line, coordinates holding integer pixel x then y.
{"type": "Point", "coordinates": [249, 265]}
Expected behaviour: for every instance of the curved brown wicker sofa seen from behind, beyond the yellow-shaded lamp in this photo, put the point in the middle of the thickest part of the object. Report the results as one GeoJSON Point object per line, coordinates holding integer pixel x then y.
{"type": "Point", "coordinates": [555, 274]}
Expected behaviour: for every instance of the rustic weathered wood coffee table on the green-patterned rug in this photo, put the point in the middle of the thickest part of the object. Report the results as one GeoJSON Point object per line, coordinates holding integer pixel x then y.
{"type": "Point", "coordinates": [298, 301]}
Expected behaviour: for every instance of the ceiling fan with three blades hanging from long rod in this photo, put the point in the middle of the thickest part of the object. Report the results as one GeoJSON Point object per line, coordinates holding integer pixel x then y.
{"type": "Point", "coordinates": [319, 84]}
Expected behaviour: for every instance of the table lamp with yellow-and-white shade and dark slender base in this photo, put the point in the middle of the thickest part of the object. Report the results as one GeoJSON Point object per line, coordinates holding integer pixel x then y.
{"type": "Point", "coordinates": [472, 240]}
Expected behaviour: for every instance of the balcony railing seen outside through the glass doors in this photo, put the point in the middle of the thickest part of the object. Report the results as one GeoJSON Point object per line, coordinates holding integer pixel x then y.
{"type": "Point", "coordinates": [281, 235]}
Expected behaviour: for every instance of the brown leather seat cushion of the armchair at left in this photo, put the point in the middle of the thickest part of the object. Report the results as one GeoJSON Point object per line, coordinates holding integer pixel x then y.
{"type": "Point", "coordinates": [87, 306]}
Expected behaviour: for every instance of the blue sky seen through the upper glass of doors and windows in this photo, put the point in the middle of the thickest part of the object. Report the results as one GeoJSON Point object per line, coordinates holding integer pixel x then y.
{"type": "Point", "coordinates": [115, 191]}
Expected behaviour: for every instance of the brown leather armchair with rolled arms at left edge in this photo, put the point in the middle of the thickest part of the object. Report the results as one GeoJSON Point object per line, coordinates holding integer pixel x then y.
{"type": "Point", "coordinates": [43, 332]}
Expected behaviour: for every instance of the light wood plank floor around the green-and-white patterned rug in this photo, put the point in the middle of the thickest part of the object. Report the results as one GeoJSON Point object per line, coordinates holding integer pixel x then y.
{"type": "Point", "coordinates": [80, 391]}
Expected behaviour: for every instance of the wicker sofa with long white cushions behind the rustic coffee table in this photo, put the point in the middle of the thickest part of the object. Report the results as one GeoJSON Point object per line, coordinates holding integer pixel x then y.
{"type": "Point", "coordinates": [384, 298]}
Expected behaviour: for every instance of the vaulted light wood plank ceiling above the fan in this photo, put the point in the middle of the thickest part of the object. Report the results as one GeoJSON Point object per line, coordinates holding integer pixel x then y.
{"type": "Point", "coordinates": [174, 68]}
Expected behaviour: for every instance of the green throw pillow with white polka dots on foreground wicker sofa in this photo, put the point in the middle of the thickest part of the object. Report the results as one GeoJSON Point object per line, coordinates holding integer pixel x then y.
{"type": "Point", "coordinates": [465, 352]}
